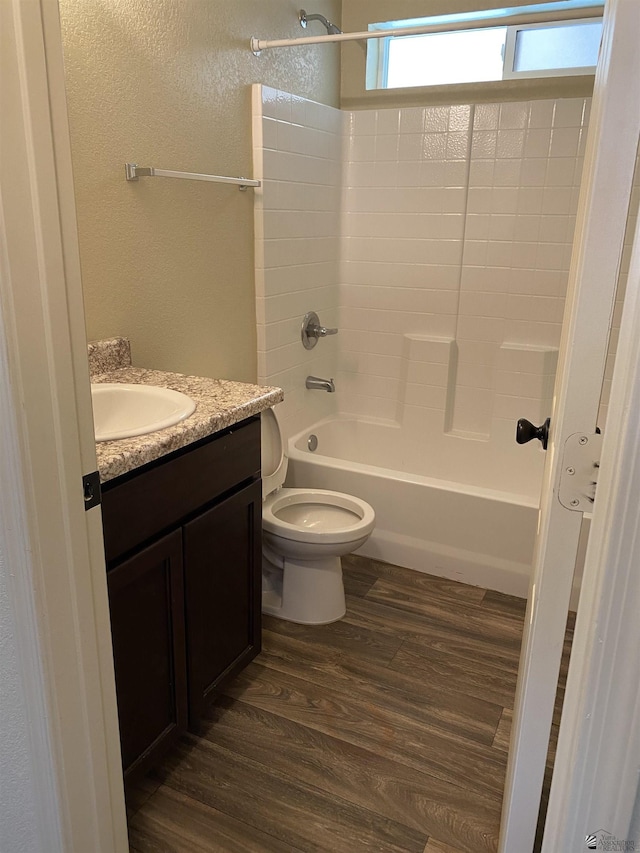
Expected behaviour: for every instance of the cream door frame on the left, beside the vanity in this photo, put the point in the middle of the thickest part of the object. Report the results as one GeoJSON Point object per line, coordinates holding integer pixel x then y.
{"type": "Point", "coordinates": [52, 563]}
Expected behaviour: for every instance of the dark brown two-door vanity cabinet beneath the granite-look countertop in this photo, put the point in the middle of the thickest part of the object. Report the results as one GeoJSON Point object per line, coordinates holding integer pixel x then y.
{"type": "Point", "coordinates": [183, 547]}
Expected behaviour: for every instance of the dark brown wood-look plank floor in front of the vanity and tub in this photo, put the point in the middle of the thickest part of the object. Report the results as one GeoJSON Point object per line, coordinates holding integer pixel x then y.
{"type": "Point", "coordinates": [386, 731]}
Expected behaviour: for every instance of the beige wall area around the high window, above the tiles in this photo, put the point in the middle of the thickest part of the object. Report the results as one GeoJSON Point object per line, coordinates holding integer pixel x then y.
{"type": "Point", "coordinates": [358, 14]}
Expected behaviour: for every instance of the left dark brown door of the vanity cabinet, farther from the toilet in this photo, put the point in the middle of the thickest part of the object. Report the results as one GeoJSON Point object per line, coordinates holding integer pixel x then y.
{"type": "Point", "coordinates": [147, 626]}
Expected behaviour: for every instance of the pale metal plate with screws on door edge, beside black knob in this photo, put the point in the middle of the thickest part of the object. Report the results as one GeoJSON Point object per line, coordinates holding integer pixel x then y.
{"type": "Point", "coordinates": [579, 475]}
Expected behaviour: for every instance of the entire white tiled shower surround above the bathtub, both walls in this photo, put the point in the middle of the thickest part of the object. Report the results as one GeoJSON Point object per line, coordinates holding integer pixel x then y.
{"type": "Point", "coordinates": [438, 240]}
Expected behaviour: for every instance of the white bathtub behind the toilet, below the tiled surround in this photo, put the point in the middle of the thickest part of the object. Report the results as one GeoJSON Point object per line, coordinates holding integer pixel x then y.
{"type": "Point", "coordinates": [450, 526]}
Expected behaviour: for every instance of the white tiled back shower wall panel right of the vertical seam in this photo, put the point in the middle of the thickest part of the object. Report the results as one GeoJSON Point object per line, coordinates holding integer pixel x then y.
{"type": "Point", "coordinates": [523, 186]}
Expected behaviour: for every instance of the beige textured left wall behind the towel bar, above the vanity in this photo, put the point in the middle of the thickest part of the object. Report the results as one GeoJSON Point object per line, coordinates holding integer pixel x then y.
{"type": "Point", "coordinates": [165, 83]}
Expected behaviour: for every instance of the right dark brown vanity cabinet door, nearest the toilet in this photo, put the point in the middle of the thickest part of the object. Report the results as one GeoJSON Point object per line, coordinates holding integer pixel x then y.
{"type": "Point", "coordinates": [223, 554]}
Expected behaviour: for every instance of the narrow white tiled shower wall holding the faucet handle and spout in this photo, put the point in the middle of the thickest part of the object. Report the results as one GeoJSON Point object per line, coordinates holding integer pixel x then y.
{"type": "Point", "coordinates": [298, 157]}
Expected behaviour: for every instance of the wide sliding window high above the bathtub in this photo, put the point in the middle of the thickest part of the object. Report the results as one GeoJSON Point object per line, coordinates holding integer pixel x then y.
{"type": "Point", "coordinates": [545, 49]}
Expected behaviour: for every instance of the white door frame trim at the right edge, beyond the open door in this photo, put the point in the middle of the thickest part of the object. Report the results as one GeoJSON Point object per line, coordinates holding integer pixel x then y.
{"type": "Point", "coordinates": [595, 780]}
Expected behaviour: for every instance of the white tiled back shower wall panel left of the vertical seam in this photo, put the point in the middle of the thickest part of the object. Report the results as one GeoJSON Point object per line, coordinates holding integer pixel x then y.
{"type": "Point", "coordinates": [403, 231]}
